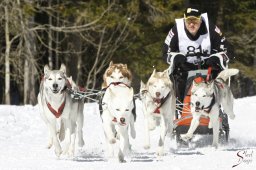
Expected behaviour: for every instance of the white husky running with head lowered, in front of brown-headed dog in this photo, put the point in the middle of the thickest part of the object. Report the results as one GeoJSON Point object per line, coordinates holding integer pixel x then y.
{"type": "Point", "coordinates": [117, 104]}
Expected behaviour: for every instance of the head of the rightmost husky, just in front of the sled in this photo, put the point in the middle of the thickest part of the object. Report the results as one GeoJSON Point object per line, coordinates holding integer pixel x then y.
{"type": "Point", "coordinates": [202, 94]}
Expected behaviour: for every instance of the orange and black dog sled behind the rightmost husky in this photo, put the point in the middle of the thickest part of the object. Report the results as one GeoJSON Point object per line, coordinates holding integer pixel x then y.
{"type": "Point", "coordinates": [183, 115]}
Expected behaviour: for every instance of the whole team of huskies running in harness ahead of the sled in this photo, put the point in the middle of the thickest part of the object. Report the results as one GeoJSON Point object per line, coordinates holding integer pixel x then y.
{"type": "Point", "coordinates": [64, 118]}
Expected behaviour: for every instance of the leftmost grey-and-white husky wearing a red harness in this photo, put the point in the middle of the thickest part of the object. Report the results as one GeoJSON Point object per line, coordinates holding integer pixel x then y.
{"type": "Point", "coordinates": [60, 112]}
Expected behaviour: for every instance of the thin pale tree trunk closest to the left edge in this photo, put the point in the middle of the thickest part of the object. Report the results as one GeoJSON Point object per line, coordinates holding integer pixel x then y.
{"type": "Point", "coordinates": [7, 57]}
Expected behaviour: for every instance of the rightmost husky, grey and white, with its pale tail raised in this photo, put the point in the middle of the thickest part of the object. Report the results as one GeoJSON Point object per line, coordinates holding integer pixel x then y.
{"type": "Point", "coordinates": [206, 98]}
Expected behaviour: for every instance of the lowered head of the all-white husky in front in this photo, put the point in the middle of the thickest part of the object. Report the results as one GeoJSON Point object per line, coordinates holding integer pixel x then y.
{"type": "Point", "coordinates": [121, 103]}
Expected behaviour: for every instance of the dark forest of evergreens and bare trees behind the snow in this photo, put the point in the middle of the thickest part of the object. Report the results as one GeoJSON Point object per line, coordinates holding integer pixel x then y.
{"type": "Point", "coordinates": [86, 35]}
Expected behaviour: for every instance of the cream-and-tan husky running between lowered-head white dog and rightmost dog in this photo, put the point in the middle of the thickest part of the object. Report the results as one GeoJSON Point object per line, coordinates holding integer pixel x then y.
{"type": "Point", "coordinates": [158, 100]}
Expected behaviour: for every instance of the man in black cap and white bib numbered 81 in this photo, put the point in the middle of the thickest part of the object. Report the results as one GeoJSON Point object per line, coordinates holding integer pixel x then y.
{"type": "Point", "coordinates": [193, 43]}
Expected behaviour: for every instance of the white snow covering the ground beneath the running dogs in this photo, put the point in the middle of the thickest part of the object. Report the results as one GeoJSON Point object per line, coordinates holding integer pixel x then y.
{"type": "Point", "coordinates": [23, 138]}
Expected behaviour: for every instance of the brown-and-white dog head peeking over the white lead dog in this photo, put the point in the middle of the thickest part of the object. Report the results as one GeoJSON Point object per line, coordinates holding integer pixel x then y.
{"type": "Point", "coordinates": [117, 73]}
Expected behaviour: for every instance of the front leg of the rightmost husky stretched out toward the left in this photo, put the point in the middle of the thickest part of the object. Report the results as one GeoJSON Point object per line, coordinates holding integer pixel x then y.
{"type": "Point", "coordinates": [194, 124]}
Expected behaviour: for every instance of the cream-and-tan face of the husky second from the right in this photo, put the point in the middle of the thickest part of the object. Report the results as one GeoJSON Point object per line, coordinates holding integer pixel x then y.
{"type": "Point", "coordinates": [159, 84]}
